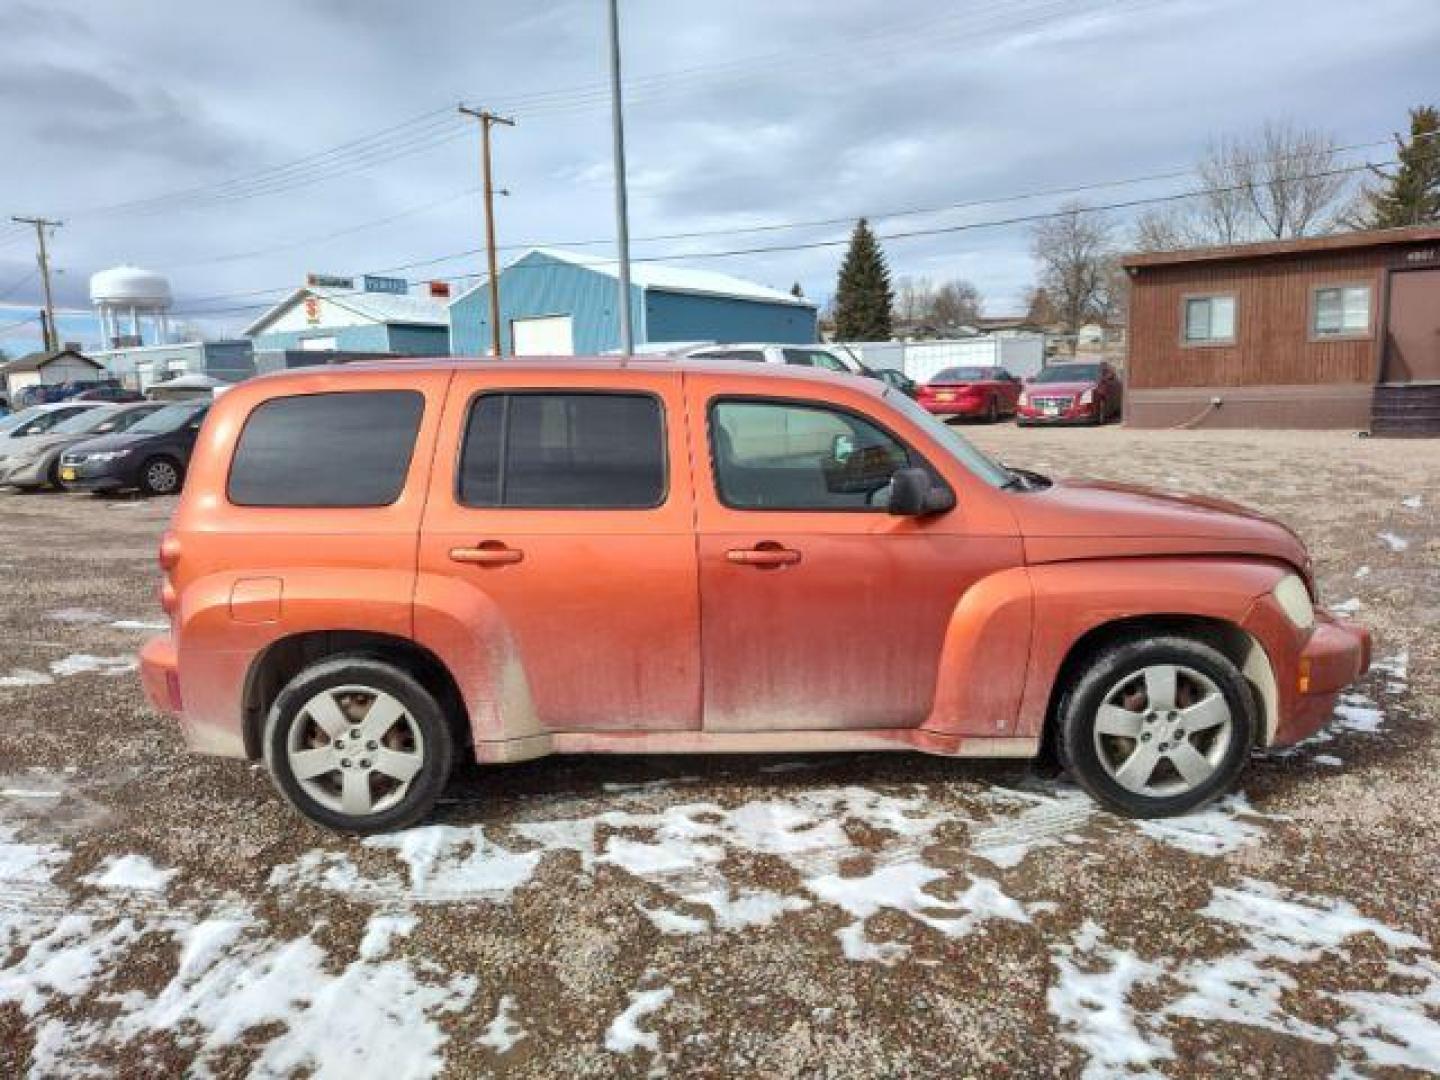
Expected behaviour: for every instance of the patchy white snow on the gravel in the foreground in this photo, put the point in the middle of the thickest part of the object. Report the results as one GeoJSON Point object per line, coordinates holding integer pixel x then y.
{"type": "Point", "coordinates": [895, 865]}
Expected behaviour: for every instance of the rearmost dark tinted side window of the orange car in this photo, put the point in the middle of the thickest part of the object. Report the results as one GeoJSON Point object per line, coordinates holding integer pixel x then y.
{"type": "Point", "coordinates": [328, 450]}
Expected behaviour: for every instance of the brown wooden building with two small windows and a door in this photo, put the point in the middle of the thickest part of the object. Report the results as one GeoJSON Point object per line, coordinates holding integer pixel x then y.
{"type": "Point", "coordinates": [1328, 332]}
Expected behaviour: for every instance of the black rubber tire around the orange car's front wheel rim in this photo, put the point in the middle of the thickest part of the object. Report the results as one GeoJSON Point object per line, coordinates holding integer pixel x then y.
{"type": "Point", "coordinates": [1112, 667]}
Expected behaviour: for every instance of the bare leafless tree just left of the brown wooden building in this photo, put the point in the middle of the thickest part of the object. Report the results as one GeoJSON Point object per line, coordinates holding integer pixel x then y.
{"type": "Point", "coordinates": [1076, 258]}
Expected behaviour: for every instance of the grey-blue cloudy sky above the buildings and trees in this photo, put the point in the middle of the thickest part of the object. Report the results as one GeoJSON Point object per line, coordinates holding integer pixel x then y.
{"type": "Point", "coordinates": [238, 146]}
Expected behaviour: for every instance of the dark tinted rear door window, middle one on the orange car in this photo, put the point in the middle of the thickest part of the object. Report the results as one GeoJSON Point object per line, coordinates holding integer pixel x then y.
{"type": "Point", "coordinates": [564, 451]}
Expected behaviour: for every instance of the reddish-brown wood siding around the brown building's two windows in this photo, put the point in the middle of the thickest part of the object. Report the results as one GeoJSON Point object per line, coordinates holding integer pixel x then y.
{"type": "Point", "coordinates": [1274, 345]}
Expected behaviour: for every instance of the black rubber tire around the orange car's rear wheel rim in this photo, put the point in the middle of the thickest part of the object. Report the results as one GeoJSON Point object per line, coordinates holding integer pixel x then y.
{"type": "Point", "coordinates": [436, 744]}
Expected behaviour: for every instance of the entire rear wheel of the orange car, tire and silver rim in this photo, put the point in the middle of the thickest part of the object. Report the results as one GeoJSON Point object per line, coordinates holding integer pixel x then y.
{"type": "Point", "coordinates": [359, 745]}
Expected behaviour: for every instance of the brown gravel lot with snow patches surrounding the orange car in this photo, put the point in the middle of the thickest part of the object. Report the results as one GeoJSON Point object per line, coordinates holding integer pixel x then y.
{"type": "Point", "coordinates": [840, 915]}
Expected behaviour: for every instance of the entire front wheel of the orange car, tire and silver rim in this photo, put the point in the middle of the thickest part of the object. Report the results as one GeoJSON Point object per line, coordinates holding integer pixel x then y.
{"type": "Point", "coordinates": [1157, 726]}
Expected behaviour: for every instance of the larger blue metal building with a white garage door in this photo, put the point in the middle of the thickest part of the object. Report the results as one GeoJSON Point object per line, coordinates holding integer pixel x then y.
{"type": "Point", "coordinates": [557, 303]}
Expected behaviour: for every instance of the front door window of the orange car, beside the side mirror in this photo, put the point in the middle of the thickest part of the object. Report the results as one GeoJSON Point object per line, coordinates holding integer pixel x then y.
{"type": "Point", "coordinates": [791, 456]}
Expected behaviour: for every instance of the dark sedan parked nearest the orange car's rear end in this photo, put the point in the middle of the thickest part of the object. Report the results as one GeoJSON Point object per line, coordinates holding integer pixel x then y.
{"type": "Point", "coordinates": [150, 457]}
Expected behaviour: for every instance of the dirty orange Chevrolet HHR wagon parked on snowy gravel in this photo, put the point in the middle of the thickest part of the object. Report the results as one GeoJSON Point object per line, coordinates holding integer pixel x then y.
{"type": "Point", "coordinates": [381, 570]}
